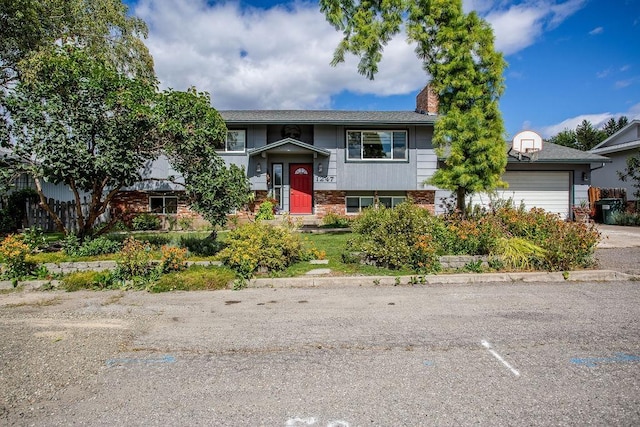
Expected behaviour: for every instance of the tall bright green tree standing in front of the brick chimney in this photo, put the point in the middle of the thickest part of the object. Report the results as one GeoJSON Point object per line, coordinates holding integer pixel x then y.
{"type": "Point", "coordinates": [457, 51]}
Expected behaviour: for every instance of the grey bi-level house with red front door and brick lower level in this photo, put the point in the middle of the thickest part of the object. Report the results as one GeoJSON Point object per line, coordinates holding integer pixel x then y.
{"type": "Point", "coordinates": [313, 162]}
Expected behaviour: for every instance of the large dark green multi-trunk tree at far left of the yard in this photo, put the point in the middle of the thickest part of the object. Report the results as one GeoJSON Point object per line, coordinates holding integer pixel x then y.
{"type": "Point", "coordinates": [82, 123]}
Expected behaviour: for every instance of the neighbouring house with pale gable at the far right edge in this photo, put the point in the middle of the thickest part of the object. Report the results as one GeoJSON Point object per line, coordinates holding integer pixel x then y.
{"type": "Point", "coordinates": [618, 147]}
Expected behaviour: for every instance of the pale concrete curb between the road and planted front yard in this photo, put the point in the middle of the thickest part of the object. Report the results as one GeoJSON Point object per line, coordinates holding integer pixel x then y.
{"type": "Point", "coordinates": [373, 281]}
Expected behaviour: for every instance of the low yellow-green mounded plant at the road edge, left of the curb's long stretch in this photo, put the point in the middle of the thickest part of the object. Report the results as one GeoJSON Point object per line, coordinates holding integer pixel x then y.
{"type": "Point", "coordinates": [195, 278]}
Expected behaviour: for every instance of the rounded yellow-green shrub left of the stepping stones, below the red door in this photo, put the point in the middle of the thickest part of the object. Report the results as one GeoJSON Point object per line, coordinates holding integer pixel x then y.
{"type": "Point", "coordinates": [255, 246]}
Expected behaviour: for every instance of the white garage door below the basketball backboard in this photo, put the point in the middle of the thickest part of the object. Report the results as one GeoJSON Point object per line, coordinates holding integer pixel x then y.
{"type": "Point", "coordinates": [546, 190]}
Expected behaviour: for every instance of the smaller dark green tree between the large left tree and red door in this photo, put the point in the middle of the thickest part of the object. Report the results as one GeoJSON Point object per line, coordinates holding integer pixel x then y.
{"type": "Point", "coordinates": [191, 131]}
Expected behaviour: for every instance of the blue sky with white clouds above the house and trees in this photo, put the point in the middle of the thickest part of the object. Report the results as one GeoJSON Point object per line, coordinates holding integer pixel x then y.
{"type": "Point", "coordinates": [569, 60]}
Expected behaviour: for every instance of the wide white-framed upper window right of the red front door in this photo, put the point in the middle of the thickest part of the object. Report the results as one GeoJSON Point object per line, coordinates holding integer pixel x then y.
{"type": "Point", "coordinates": [376, 145]}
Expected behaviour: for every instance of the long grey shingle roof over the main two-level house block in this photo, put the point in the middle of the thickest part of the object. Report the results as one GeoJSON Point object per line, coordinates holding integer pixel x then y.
{"type": "Point", "coordinates": [236, 117]}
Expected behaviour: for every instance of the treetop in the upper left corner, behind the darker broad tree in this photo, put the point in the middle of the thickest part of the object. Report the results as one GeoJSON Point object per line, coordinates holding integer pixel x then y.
{"type": "Point", "coordinates": [28, 28]}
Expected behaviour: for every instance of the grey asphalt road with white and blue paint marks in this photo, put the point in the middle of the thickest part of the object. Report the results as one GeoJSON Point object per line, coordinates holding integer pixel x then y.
{"type": "Point", "coordinates": [504, 354]}
